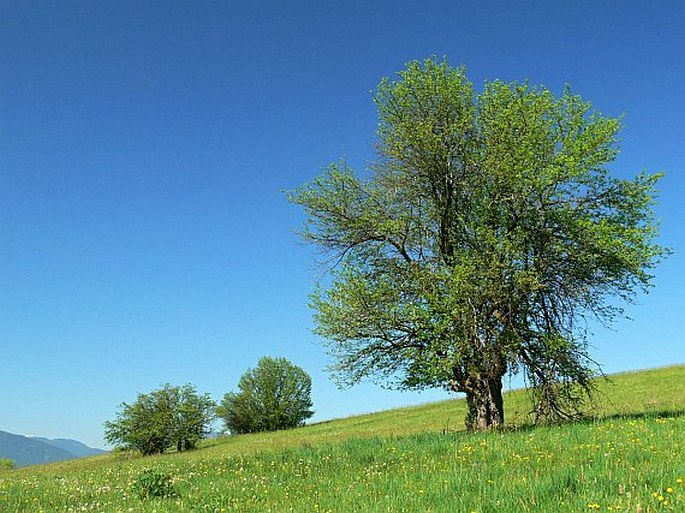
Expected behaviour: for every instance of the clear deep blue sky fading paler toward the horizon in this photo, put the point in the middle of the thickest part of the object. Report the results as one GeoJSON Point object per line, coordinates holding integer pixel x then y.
{"type": "Point", "coordinates": [145, 147]}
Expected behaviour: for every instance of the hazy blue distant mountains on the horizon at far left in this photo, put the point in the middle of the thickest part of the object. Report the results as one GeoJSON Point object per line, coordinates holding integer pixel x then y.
{"type": "Point", "coordinates": [27, 450]}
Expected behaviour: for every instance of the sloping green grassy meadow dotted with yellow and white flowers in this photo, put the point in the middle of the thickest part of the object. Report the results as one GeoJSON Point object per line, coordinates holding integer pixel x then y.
{"type": "Point", "coordinates": [629, 456]}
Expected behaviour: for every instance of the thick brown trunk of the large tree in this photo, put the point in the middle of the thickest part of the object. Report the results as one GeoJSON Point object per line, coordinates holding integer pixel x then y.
{"type": "Point", "coordinates": [484, 400]}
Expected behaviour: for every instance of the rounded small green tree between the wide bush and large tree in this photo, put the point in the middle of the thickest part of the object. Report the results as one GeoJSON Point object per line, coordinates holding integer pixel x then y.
{"type": "Point", "coordinates": [275, 395]}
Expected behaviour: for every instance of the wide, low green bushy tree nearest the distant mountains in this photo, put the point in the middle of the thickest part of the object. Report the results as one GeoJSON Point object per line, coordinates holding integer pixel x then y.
{"type": "Point", "coordinates": [170, 416]}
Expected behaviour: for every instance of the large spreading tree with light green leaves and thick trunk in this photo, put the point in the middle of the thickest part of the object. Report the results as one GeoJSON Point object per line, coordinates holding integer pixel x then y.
{"type": "Point", "coordinates": [485, 237]}
